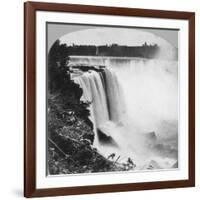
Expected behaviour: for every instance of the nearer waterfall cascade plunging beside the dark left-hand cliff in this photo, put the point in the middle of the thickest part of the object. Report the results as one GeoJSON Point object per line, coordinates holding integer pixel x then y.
{"type": "Point", "coordinates": [104, 93]}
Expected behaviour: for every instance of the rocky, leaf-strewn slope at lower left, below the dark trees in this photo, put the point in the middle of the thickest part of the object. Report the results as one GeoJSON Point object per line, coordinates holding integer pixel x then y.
{"type": "Point", "coordinates": [70, 144]}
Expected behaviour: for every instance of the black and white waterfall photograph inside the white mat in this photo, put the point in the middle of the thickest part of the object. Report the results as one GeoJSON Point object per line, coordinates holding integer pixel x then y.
{"type": "Point", "coordinates": [112, 99]}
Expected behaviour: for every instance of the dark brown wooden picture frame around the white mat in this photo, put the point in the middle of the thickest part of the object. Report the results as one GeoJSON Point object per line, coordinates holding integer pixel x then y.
{"type": "Point", "coordinates": [30, 9]}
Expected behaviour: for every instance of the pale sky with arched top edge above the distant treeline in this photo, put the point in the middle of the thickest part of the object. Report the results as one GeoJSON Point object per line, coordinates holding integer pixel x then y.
{"type": "Point", "coordinates": [101, 35]}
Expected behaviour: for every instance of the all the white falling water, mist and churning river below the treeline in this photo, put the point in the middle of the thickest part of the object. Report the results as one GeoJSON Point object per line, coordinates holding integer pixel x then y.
{"type": "Point", "coordinates": [135, 101]}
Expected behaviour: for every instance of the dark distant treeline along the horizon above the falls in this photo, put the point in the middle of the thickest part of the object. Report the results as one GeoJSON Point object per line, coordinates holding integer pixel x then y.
{"type": "Point", "coordinates": [144, 51]}
